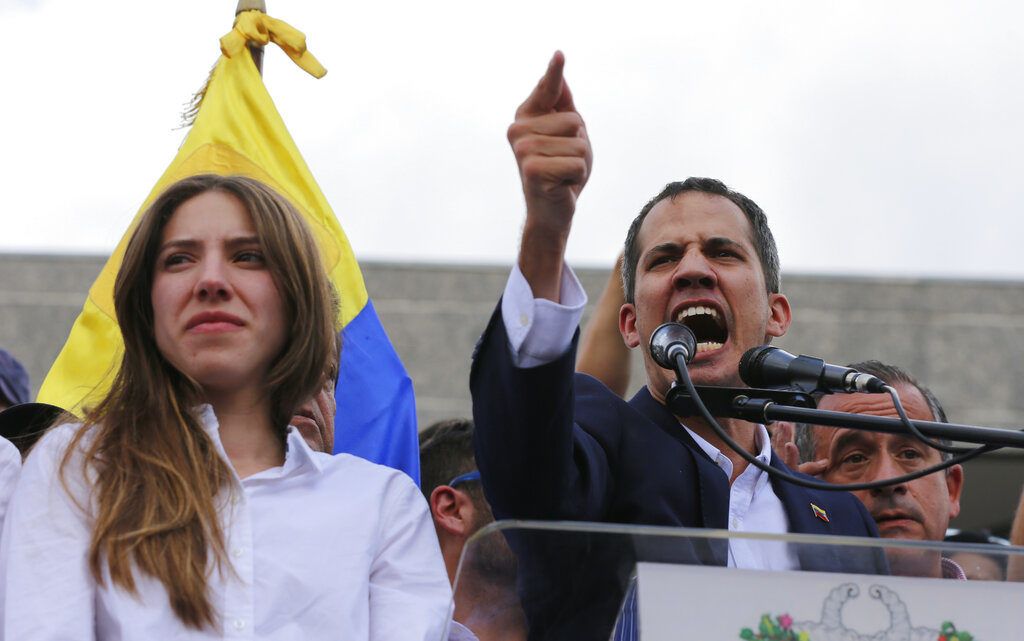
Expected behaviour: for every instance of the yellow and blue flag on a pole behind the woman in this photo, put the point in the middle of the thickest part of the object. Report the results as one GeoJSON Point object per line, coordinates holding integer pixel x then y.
{"type": "Point", "coordinates": [238, 131]}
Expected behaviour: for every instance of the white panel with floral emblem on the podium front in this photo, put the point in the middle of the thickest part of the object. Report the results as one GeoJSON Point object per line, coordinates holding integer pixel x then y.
{"type": "Point", "coordinates": [715, 604]}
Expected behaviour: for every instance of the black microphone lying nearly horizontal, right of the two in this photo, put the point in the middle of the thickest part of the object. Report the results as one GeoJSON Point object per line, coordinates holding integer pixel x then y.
{"type": "Point", "coordinates": [772, 367]}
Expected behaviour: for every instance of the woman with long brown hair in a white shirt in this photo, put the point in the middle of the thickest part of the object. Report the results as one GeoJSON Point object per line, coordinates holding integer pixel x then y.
{"type": "Point", "coordinates": [185, 507]}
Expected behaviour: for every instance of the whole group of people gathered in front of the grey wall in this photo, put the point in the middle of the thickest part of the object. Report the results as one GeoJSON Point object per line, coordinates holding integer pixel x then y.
{"type": "Point", "coordinates": [199, 498]}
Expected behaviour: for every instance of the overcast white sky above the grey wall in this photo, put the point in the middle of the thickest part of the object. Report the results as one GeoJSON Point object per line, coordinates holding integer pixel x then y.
{"type": "Point", "coordinates": [881, 138]}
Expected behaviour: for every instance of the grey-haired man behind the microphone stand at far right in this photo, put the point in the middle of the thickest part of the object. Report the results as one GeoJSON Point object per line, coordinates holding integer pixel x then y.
{"type": "Point", "coordinates": [918, 510]}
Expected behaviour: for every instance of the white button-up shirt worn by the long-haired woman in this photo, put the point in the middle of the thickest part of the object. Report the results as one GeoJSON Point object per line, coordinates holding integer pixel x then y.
{"type": "Point", "coordinates": [322, 548]}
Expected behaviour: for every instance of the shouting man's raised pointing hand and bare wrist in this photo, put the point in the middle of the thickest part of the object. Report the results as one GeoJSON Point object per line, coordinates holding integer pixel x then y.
{"type": "Point", "coordinates": [551, 147]}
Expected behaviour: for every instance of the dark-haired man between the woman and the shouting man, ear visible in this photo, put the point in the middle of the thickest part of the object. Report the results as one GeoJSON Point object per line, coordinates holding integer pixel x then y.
{"type": "Point", "coordinates": [486, 603]}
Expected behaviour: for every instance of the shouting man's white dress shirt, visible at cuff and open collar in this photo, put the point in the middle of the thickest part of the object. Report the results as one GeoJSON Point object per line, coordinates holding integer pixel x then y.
{"type": "Point", "coordinates": [541, 331]}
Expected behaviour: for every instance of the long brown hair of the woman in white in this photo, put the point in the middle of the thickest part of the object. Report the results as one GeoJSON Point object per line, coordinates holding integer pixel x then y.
{"type": "Point", "coordinates": [157, 472]}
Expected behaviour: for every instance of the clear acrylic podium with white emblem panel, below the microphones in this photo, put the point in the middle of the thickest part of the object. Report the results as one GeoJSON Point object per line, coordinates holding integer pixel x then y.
{"type": "Point", "coordinates": [583, 582]}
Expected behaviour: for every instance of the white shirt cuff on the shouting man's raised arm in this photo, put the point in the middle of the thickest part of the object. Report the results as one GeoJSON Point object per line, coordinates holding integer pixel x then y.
{"type": "Point", "coordinates": [540, 331]}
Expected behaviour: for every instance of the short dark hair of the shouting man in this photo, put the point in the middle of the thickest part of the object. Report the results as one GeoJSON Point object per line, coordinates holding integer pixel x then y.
{"type": "Point", "coordinates": [764, 242]}
